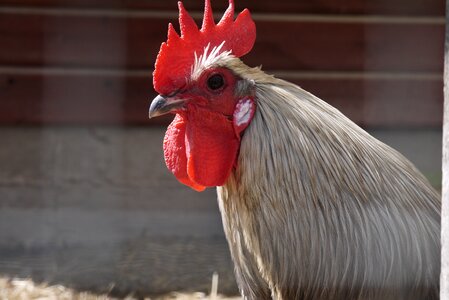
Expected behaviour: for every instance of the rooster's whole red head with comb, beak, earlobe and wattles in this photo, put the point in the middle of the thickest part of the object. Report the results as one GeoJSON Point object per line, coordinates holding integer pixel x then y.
{"type": "Point", "coordinates": [202, 142]}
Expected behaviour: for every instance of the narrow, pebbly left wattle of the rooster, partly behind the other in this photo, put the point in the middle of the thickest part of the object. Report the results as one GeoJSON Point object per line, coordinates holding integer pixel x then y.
{"type": "Point", "coordinates": [175, 152]}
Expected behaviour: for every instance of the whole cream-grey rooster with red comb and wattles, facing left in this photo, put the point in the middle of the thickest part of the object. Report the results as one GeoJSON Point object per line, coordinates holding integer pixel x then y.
{"type": "Point", "coordinates": [313, 207]}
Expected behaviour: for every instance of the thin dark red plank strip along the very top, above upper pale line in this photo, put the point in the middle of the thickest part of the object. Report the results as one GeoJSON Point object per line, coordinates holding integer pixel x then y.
{"type": "Point", "coordinates": [398, 7]}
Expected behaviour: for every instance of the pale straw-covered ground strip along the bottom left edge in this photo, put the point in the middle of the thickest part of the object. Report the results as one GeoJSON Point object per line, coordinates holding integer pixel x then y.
{"type": "Point", "coordinates": [25, 289]}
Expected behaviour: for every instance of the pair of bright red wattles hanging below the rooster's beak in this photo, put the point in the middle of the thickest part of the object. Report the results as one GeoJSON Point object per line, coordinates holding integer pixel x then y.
{"type": "Point", "coordinates": [200, 148]}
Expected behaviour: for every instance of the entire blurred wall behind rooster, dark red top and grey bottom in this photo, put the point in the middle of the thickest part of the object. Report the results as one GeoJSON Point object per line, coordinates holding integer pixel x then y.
{"type": "Point", "coordinates": [85, 198]}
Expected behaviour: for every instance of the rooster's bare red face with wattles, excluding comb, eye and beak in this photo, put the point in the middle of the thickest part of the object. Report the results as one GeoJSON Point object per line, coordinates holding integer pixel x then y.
{"type": "Point", "coordinates": [202, 142]}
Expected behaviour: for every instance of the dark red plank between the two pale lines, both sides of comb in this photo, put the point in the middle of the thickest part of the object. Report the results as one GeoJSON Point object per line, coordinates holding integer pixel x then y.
{"type": "Point", "coordinates": [117, 42]}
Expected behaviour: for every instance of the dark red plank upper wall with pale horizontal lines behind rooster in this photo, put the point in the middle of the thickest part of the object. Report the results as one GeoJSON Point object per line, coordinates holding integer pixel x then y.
{"type": "Point", "coordinates": [90, 62]}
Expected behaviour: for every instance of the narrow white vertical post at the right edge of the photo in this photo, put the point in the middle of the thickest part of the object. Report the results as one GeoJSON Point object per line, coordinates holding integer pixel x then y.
{"type": "Point", "coordinates": [444, 279]}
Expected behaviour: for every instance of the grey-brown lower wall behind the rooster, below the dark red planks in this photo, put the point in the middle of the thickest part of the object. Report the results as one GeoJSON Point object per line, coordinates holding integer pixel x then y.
{"type": "Point", "coordinates": [96, 208]}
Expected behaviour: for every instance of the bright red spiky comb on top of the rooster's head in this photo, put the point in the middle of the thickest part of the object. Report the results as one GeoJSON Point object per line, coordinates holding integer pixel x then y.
{"type": "Point", "coordinates": [176, 55]}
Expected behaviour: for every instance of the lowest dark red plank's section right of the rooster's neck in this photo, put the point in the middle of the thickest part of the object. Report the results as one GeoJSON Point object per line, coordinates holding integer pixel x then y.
{"type": "Point", "coordinates": [383, 103]}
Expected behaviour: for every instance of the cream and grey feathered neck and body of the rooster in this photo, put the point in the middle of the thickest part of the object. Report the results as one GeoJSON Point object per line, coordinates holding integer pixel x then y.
{"type": "Point", "coordinates": [319, 209]}
